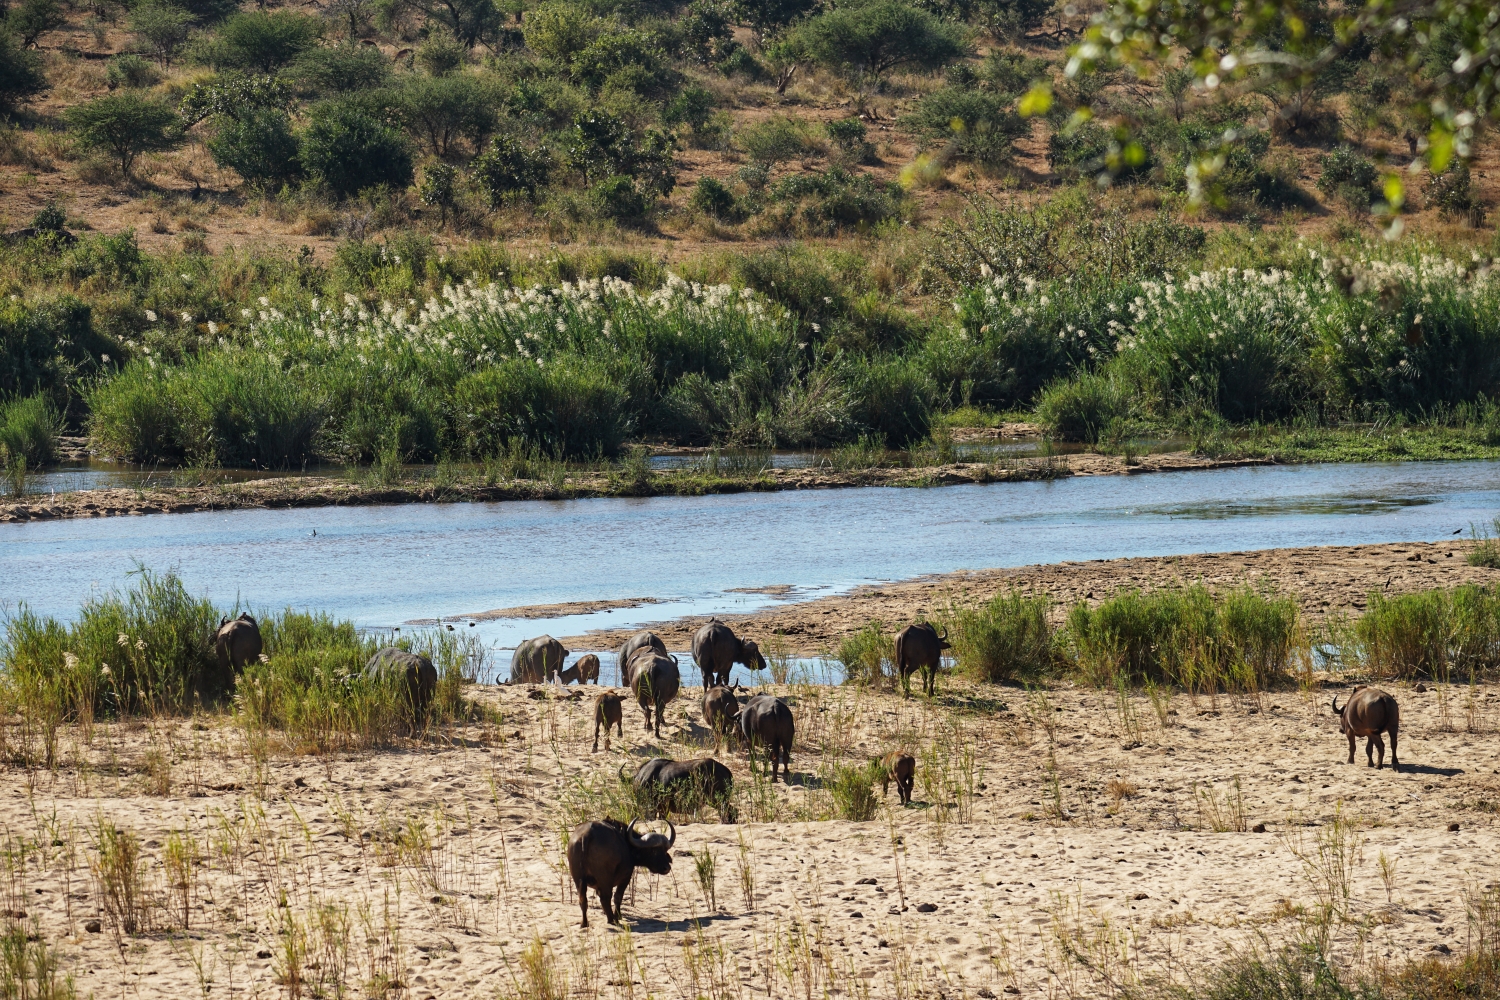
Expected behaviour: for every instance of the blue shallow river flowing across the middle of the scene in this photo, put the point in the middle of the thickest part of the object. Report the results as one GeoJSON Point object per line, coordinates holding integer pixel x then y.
{"type": "Point", "coordinates": [389, 566]}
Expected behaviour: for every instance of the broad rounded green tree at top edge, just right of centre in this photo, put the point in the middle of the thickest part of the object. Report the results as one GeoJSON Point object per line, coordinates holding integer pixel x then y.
{"type": "Point", "coordinates": [871, 40]}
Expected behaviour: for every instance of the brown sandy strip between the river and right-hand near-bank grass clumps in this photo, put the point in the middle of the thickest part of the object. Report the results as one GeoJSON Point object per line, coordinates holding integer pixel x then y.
{"type": "Point", "coordinates": [1327, 581]}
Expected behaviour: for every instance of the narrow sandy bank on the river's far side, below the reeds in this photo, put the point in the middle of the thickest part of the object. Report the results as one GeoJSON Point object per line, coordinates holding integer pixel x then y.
{"type": "Point", "coordinates": [304, 493]}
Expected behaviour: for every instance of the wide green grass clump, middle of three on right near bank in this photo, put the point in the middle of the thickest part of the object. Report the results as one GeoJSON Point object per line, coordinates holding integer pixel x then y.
{"type": "Point", "coordinates": [1243, 641]}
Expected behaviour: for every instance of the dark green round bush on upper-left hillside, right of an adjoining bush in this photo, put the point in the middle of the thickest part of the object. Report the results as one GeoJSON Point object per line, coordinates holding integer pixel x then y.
{"type": "Point", "coordinates": [350, 149]}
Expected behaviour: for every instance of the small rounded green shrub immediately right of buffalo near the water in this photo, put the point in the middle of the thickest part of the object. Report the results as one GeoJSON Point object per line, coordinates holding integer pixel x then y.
{"type": "Point", "coordinates": [1006, 639]}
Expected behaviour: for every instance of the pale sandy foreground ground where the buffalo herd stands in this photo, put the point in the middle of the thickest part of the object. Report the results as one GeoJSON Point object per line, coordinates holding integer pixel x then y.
{"type": "Point", "coordinates": [1051, 834]}
